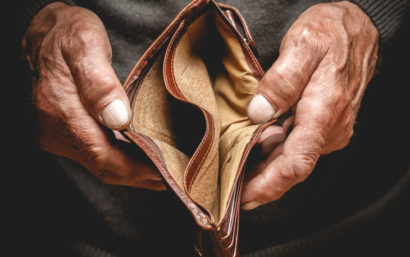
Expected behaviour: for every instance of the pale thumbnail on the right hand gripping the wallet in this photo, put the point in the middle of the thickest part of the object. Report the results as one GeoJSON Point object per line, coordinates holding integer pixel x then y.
{"type": "Point", "coordinates": [260, 110]}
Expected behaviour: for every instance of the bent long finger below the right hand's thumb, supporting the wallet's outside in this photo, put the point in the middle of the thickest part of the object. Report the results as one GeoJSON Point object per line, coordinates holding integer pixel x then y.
{"type": "Point", "coordinates": [300, 152]}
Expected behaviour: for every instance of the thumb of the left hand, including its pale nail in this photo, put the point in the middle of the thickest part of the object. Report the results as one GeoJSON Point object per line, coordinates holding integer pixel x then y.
{"type": "Point", "coordinates": [89, 58]}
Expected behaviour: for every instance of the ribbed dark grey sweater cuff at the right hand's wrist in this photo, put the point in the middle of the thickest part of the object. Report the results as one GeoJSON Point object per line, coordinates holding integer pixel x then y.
{"type": "Point", "coordinates": [387, 15]}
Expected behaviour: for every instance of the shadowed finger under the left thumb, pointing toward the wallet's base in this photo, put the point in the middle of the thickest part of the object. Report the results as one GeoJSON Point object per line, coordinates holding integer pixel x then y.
{"type": "Point", "coordinates": [110, 162]}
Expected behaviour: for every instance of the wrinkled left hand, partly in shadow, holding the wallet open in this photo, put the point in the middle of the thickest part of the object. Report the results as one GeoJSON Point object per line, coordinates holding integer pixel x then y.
{"type": "Point", "coordinates": [77, 96]}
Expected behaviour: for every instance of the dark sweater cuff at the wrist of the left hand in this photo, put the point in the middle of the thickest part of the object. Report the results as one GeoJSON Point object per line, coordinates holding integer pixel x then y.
{"type": "Point", "coordinates": [31, 8]}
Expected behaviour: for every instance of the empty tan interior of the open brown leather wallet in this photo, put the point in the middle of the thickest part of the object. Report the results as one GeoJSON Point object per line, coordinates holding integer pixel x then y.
{"type": "Point", "coordinates": [210, 70]}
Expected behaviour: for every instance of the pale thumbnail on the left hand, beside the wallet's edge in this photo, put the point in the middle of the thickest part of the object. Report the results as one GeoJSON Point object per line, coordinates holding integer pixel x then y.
{"type": "Point", "coordinates": [115, 115]}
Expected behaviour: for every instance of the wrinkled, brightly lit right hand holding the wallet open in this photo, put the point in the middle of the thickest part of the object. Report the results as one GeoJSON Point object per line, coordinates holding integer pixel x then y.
{"type": "Point", "coordinates": [326, 60]}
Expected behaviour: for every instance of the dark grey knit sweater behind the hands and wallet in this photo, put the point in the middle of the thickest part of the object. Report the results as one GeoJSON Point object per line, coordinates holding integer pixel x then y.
{"type": "Point", "coordinates": [336, 212]}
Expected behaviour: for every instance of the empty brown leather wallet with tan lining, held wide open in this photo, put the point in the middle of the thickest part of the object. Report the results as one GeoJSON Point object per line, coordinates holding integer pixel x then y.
{"type": "Point", "coordinates": [189, 93]}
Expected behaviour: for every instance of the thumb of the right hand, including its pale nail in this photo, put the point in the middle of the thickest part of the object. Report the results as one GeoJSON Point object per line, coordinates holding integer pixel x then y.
{"type": "Point", "coordinates": [284, 82]}
